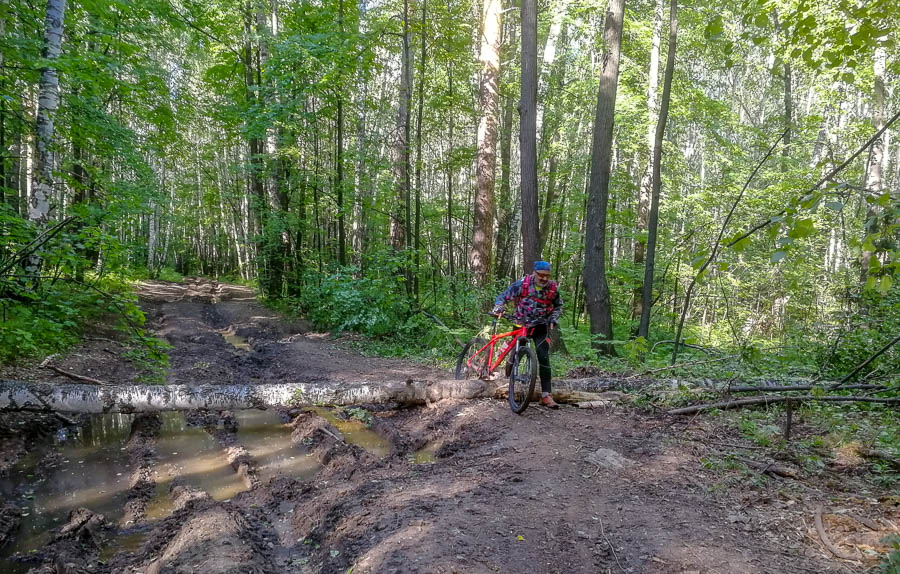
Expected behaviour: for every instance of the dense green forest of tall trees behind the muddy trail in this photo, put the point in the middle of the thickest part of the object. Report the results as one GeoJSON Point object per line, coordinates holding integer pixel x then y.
{"type": "Point", "coordinates": [700, 176]}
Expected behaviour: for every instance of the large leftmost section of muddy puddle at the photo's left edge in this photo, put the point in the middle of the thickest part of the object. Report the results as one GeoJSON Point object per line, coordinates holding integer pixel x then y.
{"type": "Point", "coordinates": [80, 468]}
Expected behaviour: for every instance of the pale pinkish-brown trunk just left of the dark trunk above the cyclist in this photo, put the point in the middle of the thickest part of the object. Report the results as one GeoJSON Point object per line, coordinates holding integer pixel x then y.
{"type": "Point", "coordinates": [483, 224]}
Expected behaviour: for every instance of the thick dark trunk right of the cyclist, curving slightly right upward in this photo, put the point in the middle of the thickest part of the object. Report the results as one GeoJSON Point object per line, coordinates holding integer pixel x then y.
{"type": "Point", "coordinates": [596, 289]}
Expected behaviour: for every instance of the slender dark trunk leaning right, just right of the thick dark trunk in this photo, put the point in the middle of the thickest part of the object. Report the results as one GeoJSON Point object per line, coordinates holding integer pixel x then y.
{"type": "Point", "coordinates": [653, 225]}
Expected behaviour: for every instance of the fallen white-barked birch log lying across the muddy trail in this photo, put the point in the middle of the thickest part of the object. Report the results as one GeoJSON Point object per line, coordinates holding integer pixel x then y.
{"type": "Point", "coordinates": [78, 398]}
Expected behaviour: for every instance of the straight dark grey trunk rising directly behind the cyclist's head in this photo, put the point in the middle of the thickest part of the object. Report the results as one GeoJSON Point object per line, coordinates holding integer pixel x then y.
{"type": "Point", "coordinates": [528, 135]}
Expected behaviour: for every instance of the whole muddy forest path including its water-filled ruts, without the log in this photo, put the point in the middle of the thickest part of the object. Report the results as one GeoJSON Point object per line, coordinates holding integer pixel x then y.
{"type": "Point", "coordinates": [457, 487]}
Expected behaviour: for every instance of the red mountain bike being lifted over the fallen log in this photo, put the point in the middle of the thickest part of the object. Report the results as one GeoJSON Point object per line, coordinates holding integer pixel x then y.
{"type": "Point", "coordinates": [521, 366]}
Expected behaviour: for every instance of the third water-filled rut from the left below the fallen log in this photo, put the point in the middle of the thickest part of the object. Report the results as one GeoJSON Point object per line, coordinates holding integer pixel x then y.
{"type": "Point", "coordinates": [268, 440]}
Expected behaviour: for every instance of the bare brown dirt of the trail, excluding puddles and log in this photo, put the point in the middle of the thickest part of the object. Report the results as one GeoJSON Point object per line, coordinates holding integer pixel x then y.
{"type": "Point", "coordinates": [550, 492]}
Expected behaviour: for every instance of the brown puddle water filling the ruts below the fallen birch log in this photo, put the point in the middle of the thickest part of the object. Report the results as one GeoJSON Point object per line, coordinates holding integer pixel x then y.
{"type": "Point", "coordinates": [88, 467]}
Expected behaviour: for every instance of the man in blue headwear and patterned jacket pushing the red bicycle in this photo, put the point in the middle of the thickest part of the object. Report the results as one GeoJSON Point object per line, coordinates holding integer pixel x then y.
{"type": "Point", "coordinates": [538, 305]}
